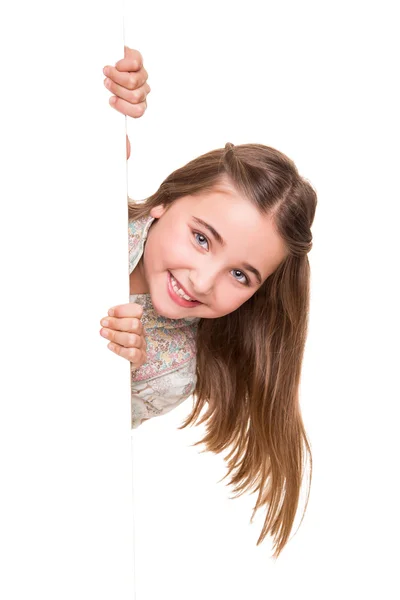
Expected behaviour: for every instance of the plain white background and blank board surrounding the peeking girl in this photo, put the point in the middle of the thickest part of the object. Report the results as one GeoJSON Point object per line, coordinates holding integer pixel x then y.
{"type": "Point", "coordinates": [316, 80]}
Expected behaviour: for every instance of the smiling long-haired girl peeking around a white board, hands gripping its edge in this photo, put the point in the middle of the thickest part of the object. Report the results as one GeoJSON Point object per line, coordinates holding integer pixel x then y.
{"type": "Point", "coordinates": [220, 294]}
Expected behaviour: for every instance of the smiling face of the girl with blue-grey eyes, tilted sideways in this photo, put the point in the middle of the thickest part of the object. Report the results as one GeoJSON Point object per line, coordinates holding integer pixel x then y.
{"type": "Point", "coordinates": [215, 272]}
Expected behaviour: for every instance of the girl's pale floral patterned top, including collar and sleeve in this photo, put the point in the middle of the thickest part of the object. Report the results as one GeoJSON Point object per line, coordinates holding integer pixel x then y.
{"type": "Point", "coordinates": [169, 375]}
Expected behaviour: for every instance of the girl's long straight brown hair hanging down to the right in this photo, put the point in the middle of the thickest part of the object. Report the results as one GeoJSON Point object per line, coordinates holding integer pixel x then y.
{"type": "Point", "coordinates": [249, 361]}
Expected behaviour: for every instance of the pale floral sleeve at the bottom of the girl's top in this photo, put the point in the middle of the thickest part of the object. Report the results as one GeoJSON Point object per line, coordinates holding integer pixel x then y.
{"type": "Point", "coordinates": [161, 394]}
